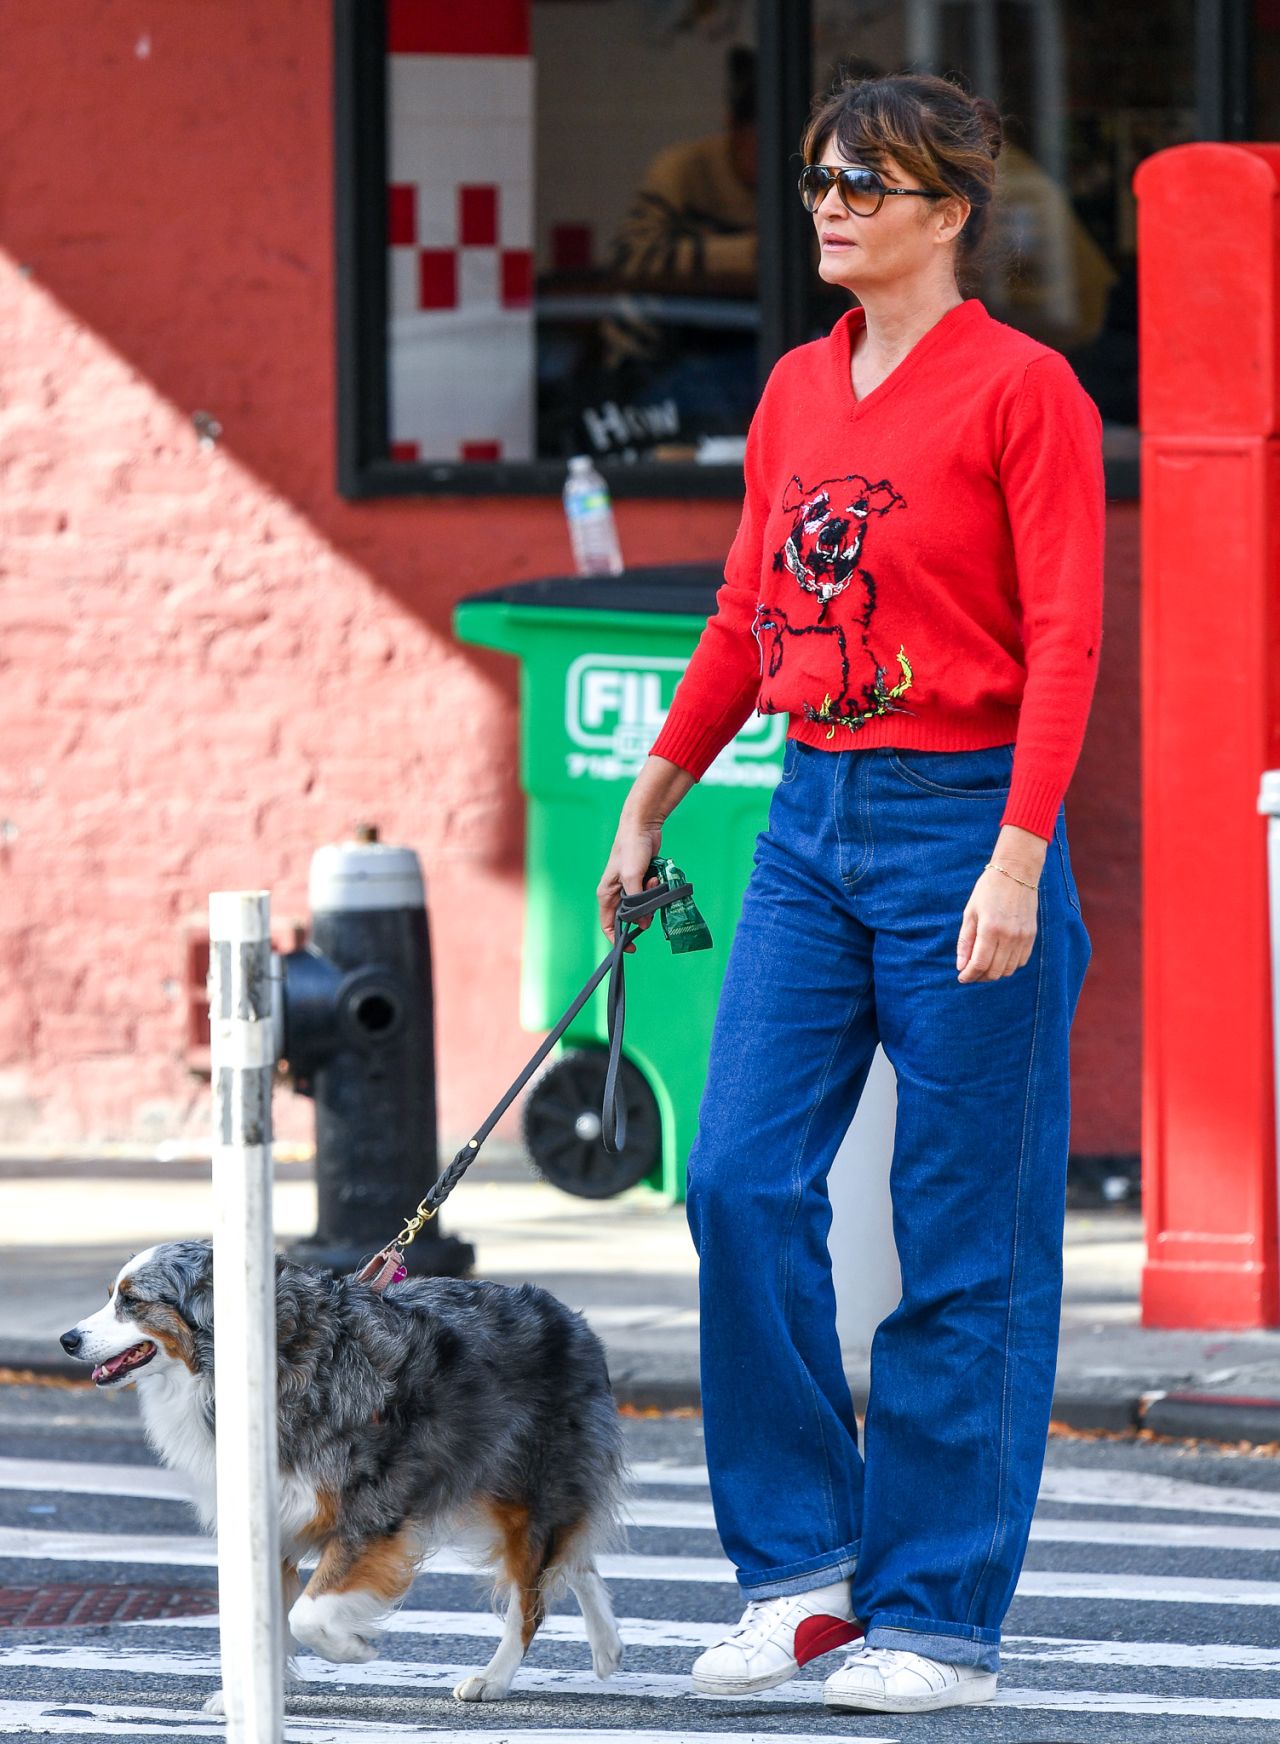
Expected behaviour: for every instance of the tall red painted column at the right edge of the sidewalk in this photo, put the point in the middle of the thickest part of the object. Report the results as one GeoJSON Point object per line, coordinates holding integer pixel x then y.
{"type": "Point", "coordinates": [1209, 315]}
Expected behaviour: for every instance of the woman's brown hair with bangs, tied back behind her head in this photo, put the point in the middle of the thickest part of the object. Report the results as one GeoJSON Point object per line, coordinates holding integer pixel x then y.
{"type": "Point", "coordinates": [941, 135]}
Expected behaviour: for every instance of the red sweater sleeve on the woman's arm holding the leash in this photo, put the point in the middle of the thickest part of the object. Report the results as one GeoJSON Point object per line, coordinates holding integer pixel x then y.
{"type": "Point", "coordinates": [721, 685]}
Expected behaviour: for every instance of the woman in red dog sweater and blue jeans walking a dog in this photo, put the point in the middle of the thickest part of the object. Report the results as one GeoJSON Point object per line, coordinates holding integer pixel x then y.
{"type": "Point", "coordinates": [918, 585]}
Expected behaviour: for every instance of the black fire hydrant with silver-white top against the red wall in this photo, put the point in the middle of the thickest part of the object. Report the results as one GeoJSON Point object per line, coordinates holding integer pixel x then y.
{"type": "Point", "coordinates": [360, 1040]}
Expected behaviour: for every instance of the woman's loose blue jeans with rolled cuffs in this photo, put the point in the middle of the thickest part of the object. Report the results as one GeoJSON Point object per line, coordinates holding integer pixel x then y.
{"type": "Point", "coordinates": [847, 939]}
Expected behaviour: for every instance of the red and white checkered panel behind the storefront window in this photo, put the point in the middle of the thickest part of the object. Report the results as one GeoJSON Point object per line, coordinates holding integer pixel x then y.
{"type": "Point", "coordinates": [460, 231]}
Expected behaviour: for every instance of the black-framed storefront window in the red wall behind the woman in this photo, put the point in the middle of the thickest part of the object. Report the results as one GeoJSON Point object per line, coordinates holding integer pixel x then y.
{"type": "Point", "coordinates": [571, 226]}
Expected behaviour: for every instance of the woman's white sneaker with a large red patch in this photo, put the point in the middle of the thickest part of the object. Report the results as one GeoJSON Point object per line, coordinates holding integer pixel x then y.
{"type": "Point", "coordinates": [775, 1638]}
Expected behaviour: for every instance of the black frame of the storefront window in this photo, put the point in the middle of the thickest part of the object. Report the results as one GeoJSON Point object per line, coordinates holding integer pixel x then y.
{"type": "Point", "coordinates": [1223, 50]}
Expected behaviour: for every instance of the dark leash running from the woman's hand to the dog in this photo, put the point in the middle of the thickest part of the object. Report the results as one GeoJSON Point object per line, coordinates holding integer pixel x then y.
{"type": "Point", "coordinates": [388, 1265]}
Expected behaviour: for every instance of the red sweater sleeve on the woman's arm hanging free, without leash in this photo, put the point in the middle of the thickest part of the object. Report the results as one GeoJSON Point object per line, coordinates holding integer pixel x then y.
{"type": "Point", "coordinates": [1056, 498]}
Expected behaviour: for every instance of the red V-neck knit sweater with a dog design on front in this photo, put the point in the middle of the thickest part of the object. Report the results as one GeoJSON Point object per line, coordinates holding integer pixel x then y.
{"type": "Point", "coordinates": [918, 568]}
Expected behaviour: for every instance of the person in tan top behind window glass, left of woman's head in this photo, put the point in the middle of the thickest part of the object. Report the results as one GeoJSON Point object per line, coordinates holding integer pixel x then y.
{"type": "Point", "coordinates": [695, 212]}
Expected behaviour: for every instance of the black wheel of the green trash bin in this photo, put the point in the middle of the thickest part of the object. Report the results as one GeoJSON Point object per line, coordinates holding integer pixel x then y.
{"type": "Point", "coordinates": [564, 1131]}
